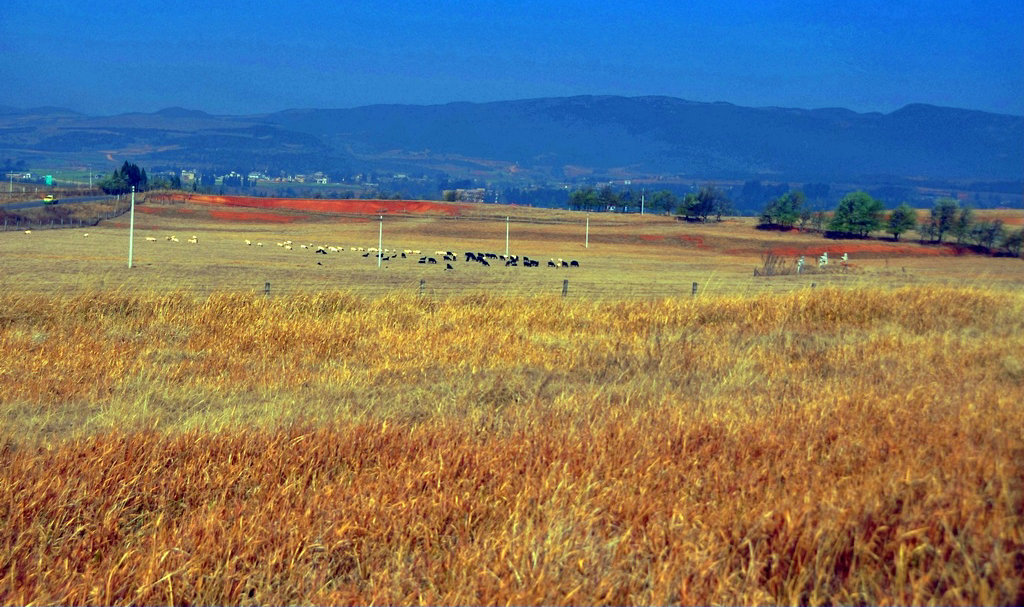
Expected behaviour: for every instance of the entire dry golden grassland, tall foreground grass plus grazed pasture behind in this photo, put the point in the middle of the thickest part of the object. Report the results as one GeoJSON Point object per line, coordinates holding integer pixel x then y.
{"type": "Point", "coordinates": [172, 436]}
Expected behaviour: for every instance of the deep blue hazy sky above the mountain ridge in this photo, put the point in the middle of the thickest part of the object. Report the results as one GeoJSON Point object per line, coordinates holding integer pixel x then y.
{"type": "Point", "coordinates": [234, 58]}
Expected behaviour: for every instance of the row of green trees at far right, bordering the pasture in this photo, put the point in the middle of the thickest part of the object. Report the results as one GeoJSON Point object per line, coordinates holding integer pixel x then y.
{"type": "Point", "coordinates": [859, 214]}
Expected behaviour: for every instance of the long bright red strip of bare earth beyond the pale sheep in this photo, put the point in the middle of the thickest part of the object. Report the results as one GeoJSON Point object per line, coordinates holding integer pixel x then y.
{"type": "Point", "coordinates": [325, 206]}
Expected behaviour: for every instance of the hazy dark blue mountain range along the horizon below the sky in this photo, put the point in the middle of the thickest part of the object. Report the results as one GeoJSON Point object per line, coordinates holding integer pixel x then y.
{"type": "Point", "coordinates": [544, 141]}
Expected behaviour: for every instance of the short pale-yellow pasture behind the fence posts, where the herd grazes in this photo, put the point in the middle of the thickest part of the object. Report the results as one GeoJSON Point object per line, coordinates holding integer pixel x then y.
{"type": "Point", "coordinates": [626, 255]}
